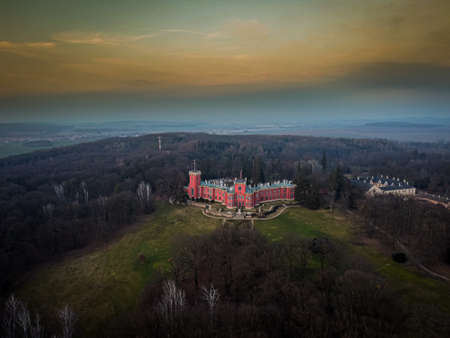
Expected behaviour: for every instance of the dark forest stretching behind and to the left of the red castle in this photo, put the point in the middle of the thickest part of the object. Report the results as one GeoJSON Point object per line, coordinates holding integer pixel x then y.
{"type": "Point", "coordinates": [57, 200]}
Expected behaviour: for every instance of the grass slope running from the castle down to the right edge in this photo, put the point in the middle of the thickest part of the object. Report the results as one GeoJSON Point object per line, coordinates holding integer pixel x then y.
{"type": "Point", "coordinates": [413, 284]}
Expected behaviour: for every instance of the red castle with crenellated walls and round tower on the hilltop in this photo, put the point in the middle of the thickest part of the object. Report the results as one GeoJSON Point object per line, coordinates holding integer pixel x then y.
{"type": "Point", "coordinates": [236, 192]}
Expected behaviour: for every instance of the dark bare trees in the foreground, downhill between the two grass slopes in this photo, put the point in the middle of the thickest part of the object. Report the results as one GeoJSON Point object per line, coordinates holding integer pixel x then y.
{"type": "Point", "coordinates": [235, 283]}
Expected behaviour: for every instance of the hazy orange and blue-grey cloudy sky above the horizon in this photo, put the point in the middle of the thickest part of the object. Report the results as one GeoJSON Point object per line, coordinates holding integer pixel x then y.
{"type": "Point", "coordinates": [223, 60]}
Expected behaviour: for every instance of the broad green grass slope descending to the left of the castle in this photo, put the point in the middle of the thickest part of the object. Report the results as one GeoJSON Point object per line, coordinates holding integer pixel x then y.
{"type": "Point", "coordinates": [106, 282]}
